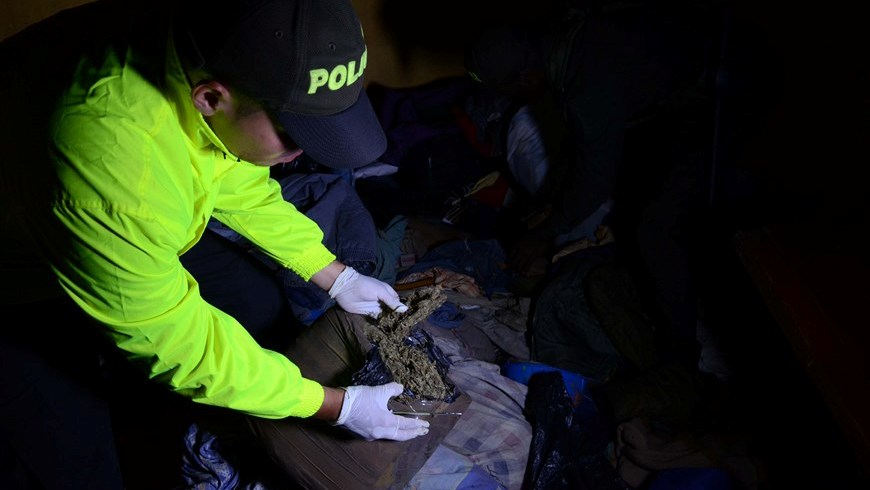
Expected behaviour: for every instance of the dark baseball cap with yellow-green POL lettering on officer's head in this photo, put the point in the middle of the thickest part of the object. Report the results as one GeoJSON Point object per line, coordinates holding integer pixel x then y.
{"type": "Point", "coordinates": [303, 59]}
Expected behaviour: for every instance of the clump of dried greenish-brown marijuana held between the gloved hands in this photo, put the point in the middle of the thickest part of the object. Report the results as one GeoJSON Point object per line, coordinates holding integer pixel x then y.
{"type": "Point", "coordinates": [407, 361]}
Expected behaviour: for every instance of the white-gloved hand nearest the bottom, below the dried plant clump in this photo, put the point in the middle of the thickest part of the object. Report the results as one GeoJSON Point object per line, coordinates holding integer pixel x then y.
{"type": "Point", "coordinates": [365, 412]}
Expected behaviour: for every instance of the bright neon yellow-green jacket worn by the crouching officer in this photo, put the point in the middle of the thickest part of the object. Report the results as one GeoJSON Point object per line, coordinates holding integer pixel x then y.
{"type": "Point", "coordinates": [139, 174]}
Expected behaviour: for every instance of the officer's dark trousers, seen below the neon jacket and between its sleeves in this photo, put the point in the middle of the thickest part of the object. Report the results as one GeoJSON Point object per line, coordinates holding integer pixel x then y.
{"type": "Point", "coordinates": [60, 378]}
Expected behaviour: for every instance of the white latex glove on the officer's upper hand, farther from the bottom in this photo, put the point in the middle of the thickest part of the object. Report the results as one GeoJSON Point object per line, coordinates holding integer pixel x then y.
{"type": "Point", "coordinates": [363, 295]}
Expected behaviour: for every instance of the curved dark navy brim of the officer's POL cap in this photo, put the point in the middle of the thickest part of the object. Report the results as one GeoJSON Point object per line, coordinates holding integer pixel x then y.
{"type": "Point", "coordinates": [350, 139]}
